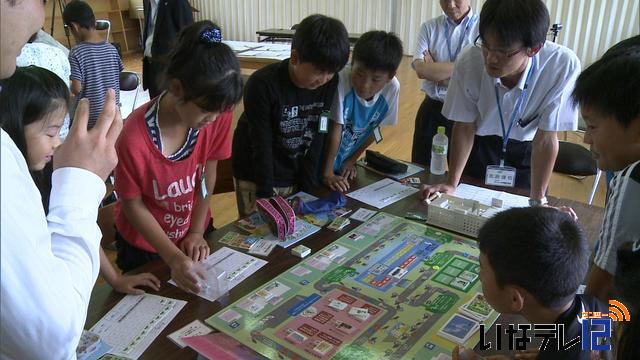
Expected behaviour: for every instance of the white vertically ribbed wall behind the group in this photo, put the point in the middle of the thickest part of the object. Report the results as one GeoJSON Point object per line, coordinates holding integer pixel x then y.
{"type": "Point", "coordinates": [590, 27]}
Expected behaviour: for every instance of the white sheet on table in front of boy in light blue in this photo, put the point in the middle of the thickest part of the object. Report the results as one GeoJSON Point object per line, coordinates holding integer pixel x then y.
{"type": "Point", "coordinates": [382, 193]}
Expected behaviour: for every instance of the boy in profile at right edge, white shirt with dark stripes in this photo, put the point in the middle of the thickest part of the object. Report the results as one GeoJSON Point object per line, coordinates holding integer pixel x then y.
{"type": "Point", "coordinates": [608, 93]}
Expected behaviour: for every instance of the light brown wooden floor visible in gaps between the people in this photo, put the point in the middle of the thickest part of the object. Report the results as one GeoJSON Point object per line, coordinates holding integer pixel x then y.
{"type": "Point", "coordinates": [397, 144]}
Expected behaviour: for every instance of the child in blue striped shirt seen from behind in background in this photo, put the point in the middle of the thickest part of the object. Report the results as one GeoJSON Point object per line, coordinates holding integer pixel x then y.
{"type": "Point", "coordinates": [95, 64]}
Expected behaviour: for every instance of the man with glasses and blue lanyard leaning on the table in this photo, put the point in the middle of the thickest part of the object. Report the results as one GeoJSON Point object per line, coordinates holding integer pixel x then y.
{"type": "Point", "coordinates": [509, 95]}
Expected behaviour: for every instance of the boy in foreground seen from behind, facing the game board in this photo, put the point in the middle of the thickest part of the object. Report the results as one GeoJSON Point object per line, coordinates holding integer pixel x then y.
{"type": "Point", "coordinates": [532, 261]}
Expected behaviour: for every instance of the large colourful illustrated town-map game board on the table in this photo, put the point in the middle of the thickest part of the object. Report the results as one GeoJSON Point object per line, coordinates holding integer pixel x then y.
{"type": "Point", "coordinates": [384, 290]}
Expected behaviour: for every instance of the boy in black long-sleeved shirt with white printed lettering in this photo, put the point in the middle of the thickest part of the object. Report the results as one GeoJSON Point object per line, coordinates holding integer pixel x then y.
{"type": "Point", "coordinates": [279, 139]}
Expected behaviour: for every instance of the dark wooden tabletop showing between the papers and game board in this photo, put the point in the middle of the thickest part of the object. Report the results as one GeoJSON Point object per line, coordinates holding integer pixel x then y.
{"type": "Point", "coordinates": [280, 260]}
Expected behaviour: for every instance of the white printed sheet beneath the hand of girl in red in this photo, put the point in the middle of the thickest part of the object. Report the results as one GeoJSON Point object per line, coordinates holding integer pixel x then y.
{"type": "Point", "coordinates": [237, 266]}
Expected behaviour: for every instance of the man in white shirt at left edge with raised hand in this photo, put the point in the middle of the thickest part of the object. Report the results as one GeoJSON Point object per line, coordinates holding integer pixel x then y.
{"type": "Point", "coordinates": [49, 264]}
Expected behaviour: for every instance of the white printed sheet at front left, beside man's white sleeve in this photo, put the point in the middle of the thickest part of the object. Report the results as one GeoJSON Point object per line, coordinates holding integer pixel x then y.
{"type": "Point", "coordinates": [132, 325]}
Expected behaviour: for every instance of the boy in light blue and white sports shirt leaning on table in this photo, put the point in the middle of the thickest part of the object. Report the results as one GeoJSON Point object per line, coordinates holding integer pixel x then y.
{"type": "Point", "coordinates": [367, 98]}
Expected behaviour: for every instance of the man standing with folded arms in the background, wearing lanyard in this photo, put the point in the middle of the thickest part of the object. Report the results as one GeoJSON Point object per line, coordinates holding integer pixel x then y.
{"type": "Point", "coordinates": [440, 41]}
